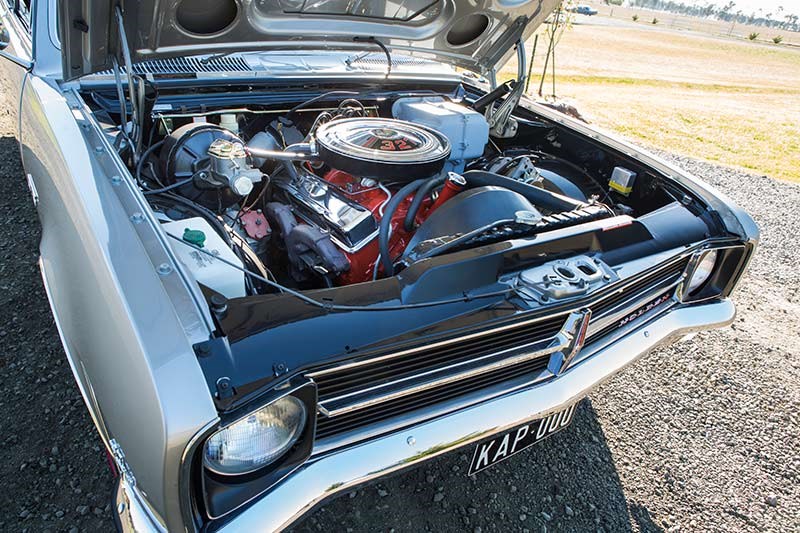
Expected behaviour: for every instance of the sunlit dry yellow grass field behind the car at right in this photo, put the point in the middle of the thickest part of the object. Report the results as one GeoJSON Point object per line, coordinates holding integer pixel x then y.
{"type": "Point", "coordinates": [719, 99]}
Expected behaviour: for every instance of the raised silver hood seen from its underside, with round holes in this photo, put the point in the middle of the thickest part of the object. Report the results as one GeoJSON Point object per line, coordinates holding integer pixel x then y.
{"type": "Point", "coordinates": [473, 34]}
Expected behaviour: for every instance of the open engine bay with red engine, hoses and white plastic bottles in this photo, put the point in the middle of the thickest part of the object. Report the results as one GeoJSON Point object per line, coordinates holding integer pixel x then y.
{"type": "Point", "coordinates": [337, 190]}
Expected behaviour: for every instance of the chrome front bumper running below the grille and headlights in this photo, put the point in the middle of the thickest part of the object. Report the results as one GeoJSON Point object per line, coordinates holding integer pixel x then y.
{"type": "Point", "coordinates": [341, 470]}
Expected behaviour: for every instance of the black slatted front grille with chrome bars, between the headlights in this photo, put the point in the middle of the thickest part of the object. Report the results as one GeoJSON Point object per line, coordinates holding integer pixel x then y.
{"type": "Point", "coordinates": [361, 378]}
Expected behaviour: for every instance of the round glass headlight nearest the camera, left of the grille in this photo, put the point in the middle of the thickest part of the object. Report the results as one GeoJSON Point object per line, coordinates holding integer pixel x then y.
{"type": "Point", "coordinates": [257, 440]}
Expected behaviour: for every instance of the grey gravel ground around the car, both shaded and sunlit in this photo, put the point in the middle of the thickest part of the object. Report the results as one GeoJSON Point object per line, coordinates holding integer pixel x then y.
{"type": "Point", "coordinates": [703, 435]}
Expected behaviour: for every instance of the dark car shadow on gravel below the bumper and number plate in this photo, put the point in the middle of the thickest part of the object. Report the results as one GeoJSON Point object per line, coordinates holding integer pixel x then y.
{"type": "Point", "coordinates": [568, 482]}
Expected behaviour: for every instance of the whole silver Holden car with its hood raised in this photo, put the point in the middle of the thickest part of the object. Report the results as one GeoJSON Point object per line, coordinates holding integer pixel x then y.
{"type": "Point", "coordinates": [292, 247]}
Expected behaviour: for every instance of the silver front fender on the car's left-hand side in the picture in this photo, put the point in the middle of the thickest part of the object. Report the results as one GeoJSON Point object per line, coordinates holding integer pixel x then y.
{"type": "Point", "coordinates": [123, 336]}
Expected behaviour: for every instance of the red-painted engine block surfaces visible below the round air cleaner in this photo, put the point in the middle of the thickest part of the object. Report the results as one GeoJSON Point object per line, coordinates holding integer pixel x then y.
{"type": "Point", "coordinates": [362, 262]}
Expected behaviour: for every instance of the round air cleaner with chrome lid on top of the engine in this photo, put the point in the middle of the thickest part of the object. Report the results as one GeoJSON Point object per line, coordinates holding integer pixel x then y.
{"type": "Point", "coordinates": [382, 148]}
